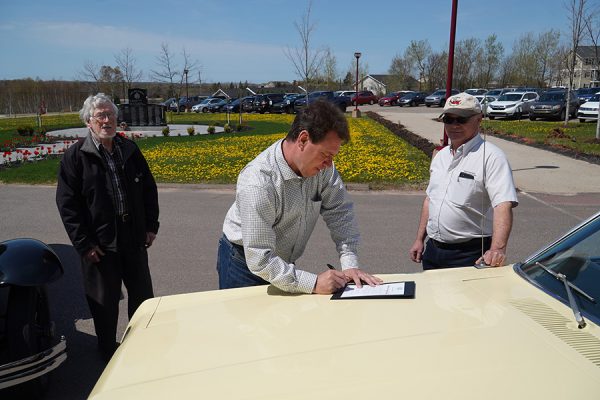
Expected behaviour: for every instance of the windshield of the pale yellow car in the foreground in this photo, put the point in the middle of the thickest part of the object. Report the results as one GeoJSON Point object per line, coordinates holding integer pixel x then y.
{"type": "Point", "coordinates": [577, 256]}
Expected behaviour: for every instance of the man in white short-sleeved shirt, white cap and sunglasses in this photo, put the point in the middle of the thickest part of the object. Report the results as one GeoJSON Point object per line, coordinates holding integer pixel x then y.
{"type": "Point", "coordinates": [470, 197]}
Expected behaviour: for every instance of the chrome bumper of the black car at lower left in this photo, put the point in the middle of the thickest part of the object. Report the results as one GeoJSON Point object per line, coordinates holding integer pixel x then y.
{"type": "Point", "coordinates": [29, 368]}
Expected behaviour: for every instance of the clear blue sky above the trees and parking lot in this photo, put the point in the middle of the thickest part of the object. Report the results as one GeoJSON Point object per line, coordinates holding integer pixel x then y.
{"type": "Point", "coordinates": [239, 40]}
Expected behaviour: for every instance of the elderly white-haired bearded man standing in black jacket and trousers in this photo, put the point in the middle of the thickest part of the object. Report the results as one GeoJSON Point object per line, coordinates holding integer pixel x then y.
{"type": "Point", "coordinates": [108, 202]}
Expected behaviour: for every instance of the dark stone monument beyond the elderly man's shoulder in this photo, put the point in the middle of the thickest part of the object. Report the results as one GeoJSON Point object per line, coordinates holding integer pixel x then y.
{"type": "Point", "coordinates": [139, 113]}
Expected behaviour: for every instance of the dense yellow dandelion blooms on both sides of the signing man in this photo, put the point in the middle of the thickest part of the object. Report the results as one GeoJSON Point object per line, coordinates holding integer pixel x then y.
{"type": "Point", "coordinates": [374, 155]}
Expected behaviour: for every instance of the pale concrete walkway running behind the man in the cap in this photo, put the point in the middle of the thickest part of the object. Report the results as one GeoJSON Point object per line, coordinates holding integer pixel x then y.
{"type": "Point", "coordinates": [534, 170]}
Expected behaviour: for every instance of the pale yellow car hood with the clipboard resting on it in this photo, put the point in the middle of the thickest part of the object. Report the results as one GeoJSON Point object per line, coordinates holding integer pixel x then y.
{"type": "Point", "coordinates": [468, 334]}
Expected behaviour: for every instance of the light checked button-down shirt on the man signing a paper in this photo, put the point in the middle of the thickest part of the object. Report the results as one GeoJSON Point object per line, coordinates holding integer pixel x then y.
{"type": "Point", "coordinates": [275, 212]}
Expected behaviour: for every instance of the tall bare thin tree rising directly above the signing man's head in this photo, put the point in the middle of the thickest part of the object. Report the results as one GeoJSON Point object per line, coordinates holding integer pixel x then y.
{"type": "Point", "coordinates": [306, 61]}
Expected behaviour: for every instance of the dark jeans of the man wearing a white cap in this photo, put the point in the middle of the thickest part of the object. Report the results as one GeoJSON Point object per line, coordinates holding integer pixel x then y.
{"type": "Point", "coordinates": [435, 257]}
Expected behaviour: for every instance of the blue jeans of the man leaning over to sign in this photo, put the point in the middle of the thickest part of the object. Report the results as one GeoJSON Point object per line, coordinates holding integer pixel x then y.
{"type": "Point", "coordinates": [232, 268]}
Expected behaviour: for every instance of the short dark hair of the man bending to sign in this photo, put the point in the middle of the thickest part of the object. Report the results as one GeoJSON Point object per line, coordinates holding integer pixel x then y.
{"type": "Point", "coordinates": [319, 118]}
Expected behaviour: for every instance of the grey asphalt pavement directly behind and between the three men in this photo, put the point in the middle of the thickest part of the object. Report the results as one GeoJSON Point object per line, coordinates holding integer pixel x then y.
{"type": "Point", "coordinates": [183, 257]}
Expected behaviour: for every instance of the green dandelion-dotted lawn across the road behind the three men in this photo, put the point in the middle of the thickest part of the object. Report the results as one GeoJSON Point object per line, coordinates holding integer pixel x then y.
{"type": "Point", "coordinates": [374, 156]}
